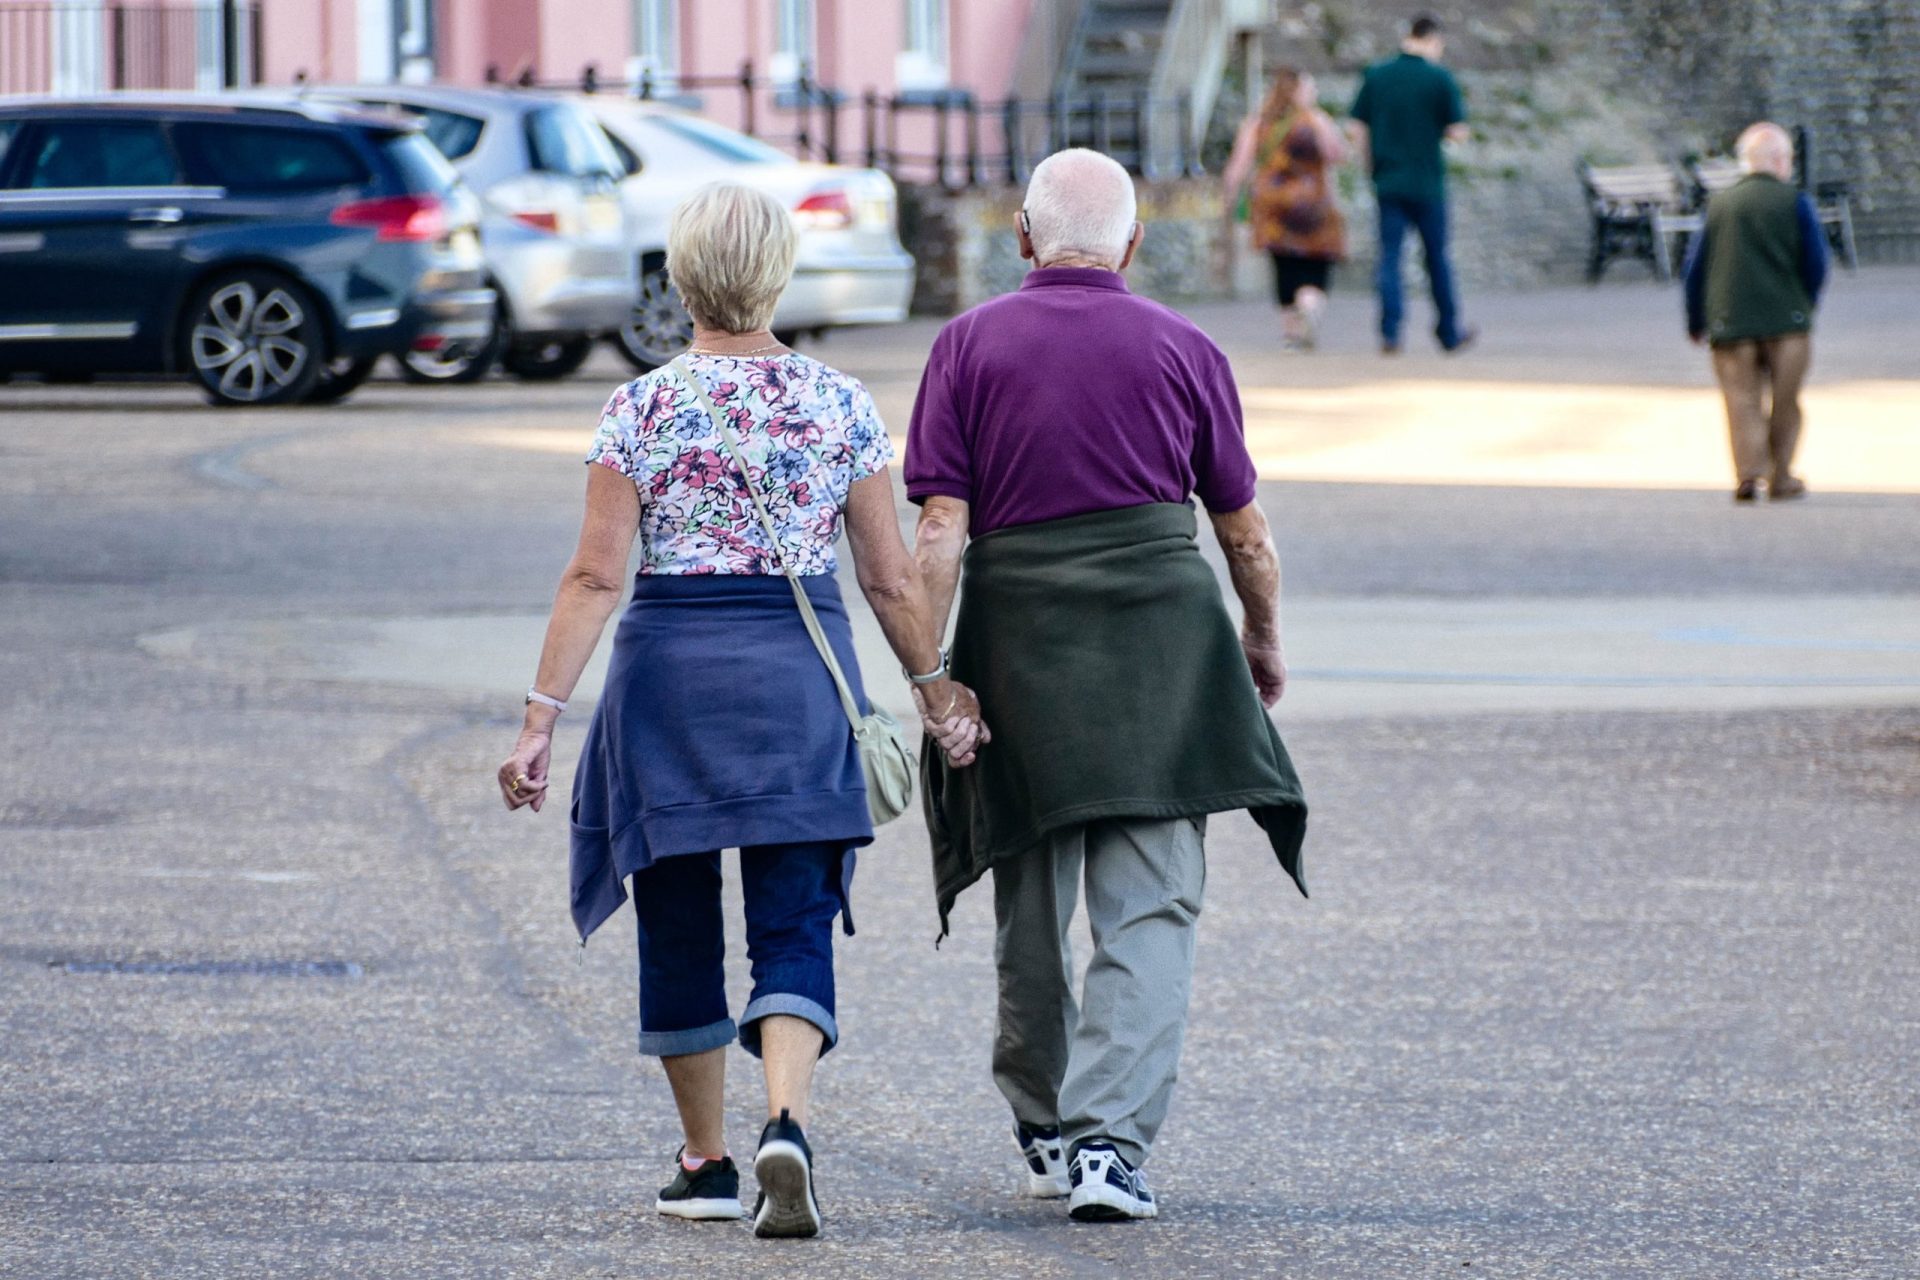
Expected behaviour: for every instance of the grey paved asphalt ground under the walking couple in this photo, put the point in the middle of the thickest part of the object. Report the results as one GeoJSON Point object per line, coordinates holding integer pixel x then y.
{"type": "Point", "coordinates": [1612, 968]}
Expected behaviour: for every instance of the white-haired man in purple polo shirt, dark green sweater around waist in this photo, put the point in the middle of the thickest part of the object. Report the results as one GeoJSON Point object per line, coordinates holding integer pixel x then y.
{"type": "Point", "coordinates": [1067, 429]}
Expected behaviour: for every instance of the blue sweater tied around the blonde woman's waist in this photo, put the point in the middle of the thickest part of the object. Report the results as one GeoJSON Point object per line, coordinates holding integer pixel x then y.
{"type": "Point", "coordinates": [719, 728]}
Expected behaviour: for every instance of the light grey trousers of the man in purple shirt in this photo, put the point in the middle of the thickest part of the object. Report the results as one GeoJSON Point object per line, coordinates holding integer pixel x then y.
{"type": "Point", "coordinates": [1101, 1068]}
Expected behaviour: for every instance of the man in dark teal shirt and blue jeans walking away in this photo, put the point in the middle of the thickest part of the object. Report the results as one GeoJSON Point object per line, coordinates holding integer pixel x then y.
{"type": "Point", "coordinates": [1406, 108]}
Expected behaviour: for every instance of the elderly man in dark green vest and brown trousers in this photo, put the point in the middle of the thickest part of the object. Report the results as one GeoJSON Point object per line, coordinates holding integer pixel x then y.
{"type": "Point", "coordinates": [1752, 283]}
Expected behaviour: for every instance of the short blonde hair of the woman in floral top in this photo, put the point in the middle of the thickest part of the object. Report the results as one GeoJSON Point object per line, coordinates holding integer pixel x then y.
{"type": "Point", "coordinates": [731, 254]}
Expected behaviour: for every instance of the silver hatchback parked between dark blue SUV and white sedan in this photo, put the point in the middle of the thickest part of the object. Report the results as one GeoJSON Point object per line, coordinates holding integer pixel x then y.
{"type": "Point", "coordinates": [554, 225]}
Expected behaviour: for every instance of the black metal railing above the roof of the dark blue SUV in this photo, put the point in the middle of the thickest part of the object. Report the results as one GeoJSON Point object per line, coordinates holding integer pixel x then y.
{"type": "Point", "coordinates": [80, 49]}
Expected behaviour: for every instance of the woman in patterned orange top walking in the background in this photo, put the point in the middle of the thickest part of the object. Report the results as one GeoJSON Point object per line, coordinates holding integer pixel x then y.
{"type": "Point", "coordinates": [1289, 151]}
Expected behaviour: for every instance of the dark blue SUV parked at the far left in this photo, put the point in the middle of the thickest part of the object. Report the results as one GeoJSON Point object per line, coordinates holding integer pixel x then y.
{"type": "Point", "coordinates": [268, 252]}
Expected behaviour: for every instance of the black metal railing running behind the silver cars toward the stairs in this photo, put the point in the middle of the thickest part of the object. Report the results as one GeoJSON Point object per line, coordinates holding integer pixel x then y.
{"type": "Point", "coordinates": [949, 137]}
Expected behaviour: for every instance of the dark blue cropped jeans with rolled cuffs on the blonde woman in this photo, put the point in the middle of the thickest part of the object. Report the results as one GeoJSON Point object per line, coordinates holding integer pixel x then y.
{"type": "Point", "coordinates": [792, 895]}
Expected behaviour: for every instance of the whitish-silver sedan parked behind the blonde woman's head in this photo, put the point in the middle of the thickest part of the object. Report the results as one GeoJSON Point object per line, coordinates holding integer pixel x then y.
{"type": "Point", "coordinates": [852, 268]}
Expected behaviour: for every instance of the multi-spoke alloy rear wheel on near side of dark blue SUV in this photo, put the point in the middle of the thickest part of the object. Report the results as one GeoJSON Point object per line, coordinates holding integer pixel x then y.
{"type": "Point", "coordinates": [254, 339]}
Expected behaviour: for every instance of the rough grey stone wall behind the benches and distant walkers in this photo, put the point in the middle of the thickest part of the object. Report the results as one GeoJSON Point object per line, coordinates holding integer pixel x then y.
{"type": "Point", "coordinates": [1548, 83]}
